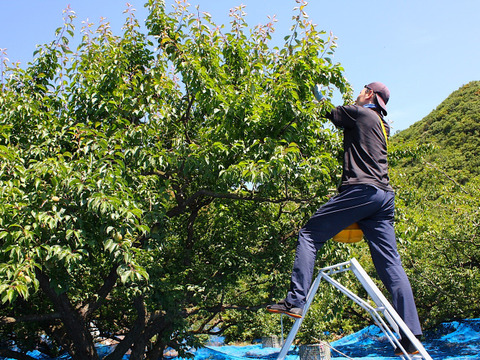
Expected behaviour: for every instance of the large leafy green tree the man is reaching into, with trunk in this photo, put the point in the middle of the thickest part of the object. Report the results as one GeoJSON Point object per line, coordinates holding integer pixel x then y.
{"type": "Point", "coordinates": [151, 184]}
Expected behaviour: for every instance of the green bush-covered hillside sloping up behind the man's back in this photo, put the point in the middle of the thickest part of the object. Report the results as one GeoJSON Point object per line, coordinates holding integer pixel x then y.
{"type": "Point", "coordinates": [435, 171]}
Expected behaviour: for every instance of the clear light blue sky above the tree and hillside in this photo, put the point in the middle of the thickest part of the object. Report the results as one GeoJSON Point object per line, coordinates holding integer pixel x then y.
{"type": "Point", "coordinates": [421, 49]}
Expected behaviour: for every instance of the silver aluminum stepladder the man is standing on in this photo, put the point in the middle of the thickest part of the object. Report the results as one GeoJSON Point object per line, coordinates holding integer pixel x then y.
{"type": "Point", "coordinates": [383, 311]}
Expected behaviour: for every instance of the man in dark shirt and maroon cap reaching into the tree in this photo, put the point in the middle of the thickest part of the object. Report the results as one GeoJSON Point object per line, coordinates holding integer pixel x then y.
{"type": "Point", "coordinates": [365, 197]}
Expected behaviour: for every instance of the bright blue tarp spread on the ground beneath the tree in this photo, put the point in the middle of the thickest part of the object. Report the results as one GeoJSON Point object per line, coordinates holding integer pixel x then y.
{"type": "Point", "coordinates": [459, 340]}
